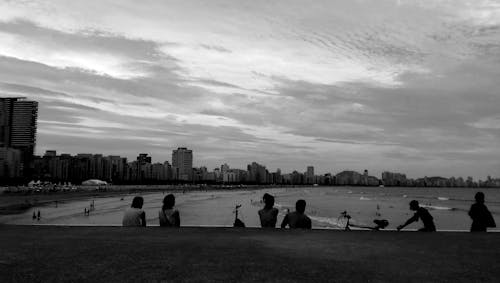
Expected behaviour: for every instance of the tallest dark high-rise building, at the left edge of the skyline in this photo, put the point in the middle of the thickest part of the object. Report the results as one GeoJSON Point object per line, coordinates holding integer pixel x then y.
{"type": "Point", "coordinates": [18, 119]}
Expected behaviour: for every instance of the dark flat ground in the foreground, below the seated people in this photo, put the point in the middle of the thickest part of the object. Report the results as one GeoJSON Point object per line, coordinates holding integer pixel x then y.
{"type": "Point", "coordinates": [117, 254]}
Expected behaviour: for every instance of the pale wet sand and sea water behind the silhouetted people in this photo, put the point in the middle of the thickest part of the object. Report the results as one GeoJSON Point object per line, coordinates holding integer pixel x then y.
{"type": "Point", "coordinates": [448, 206]}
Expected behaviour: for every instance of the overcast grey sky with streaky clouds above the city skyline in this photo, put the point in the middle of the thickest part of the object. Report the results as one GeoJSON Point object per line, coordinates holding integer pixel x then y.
{"type": "Point", "coordinates": [409, 86]}
